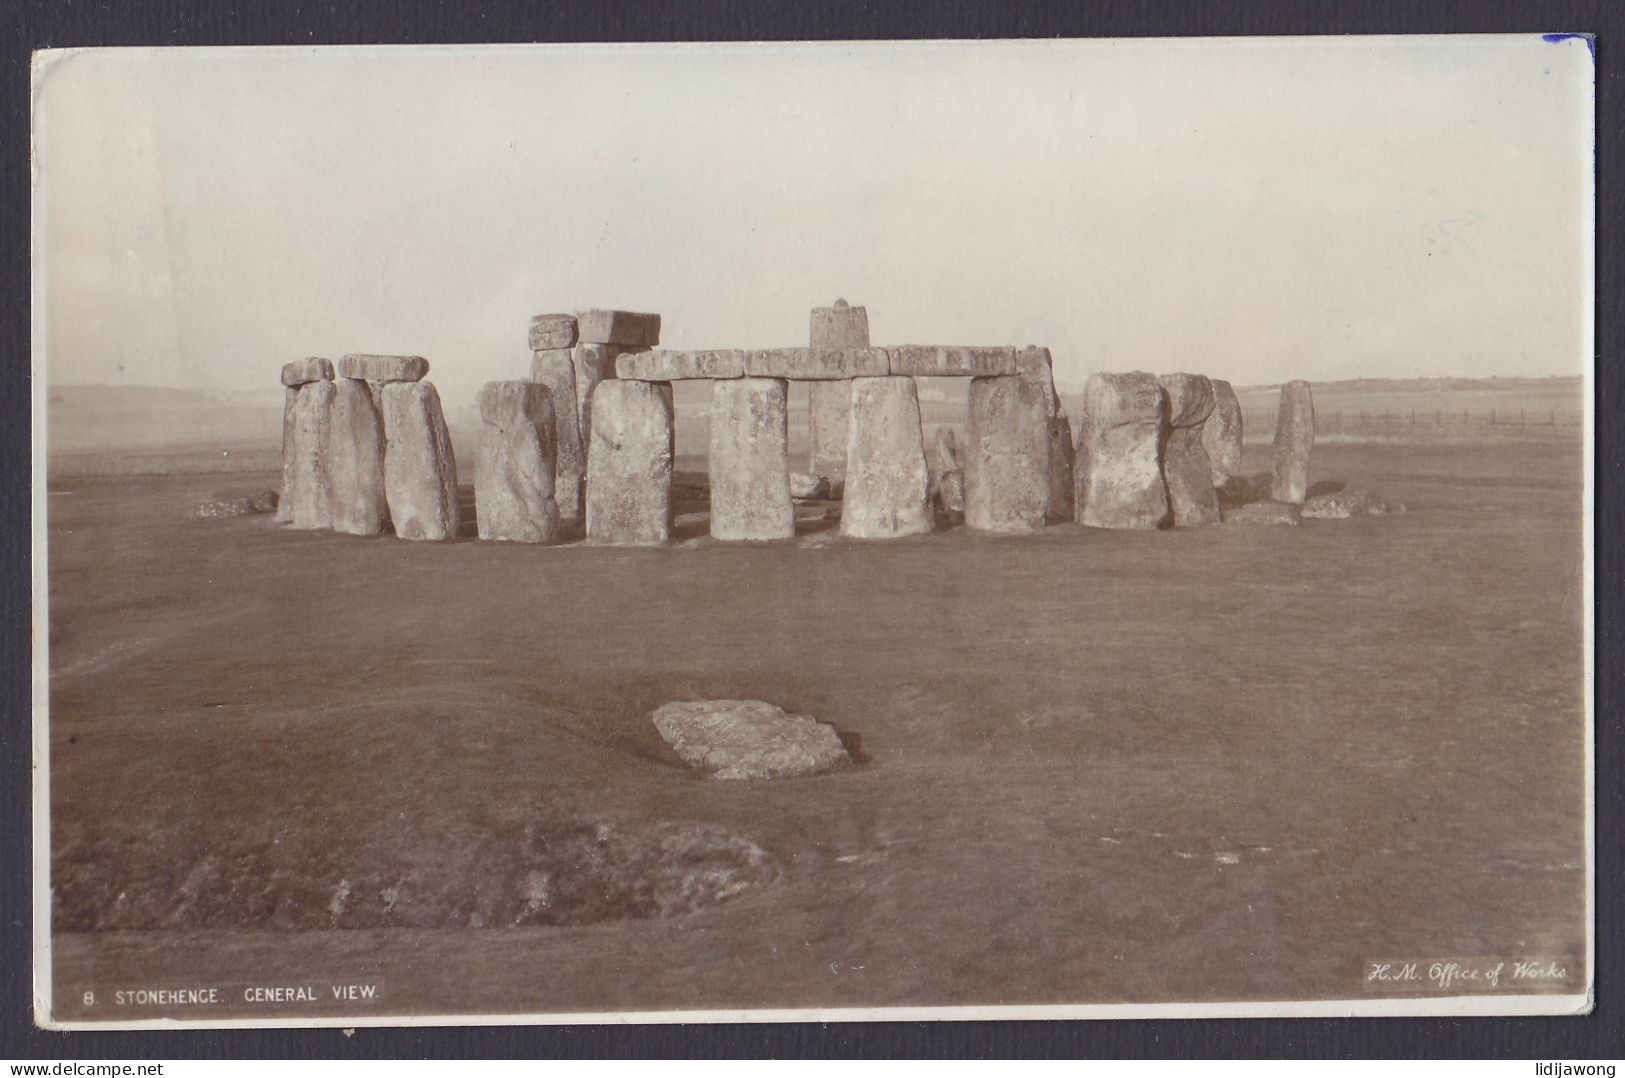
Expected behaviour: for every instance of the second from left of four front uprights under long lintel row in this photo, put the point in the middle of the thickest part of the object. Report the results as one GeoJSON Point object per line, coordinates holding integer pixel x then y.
{"type": "Point", "coordinates": [750, 461]}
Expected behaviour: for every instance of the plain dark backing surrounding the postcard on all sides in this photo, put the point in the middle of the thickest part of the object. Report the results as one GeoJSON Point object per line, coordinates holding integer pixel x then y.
{"type": "Point", "coordinates": [67, 24]}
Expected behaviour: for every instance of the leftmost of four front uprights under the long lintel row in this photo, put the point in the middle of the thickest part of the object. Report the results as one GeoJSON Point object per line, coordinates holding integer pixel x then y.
{"type": "Point", "coordinates": [630, 464]}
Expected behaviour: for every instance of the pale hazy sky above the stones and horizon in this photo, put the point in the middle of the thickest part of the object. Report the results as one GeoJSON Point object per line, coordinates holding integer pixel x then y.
{"type": "Point", "coordinates": [1249, 209]}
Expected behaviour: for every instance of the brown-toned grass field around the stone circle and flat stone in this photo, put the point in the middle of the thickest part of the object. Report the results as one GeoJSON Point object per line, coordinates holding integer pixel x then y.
{"type": "Point", "coordinates": [1093, 767]}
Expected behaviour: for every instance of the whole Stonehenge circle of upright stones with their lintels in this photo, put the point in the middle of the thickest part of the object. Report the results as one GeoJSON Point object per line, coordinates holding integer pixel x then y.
{"type": "Point", "coordinates": [586, 446]}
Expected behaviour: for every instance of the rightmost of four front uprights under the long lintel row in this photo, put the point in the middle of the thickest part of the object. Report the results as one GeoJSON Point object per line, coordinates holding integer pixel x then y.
{"type": "Point", "coordinates": [1007, 456]}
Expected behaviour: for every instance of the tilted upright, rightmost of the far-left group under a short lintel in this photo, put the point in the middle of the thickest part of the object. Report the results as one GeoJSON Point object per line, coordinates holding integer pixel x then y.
{"type": "Point", "coordinates": [420, 469]}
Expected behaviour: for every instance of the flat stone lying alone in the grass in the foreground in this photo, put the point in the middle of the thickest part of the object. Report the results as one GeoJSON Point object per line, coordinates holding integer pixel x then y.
{"type": "Point", "coordinates": [750, 739]}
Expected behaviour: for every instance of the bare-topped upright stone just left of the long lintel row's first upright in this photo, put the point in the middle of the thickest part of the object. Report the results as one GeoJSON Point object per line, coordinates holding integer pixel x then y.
{"type": "Point", "coordinates": [514, 471]}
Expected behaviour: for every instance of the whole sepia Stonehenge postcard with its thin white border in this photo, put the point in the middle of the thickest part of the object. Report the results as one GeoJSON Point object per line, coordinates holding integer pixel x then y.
{"type": "Point", "coordinates": [813, 532]}
